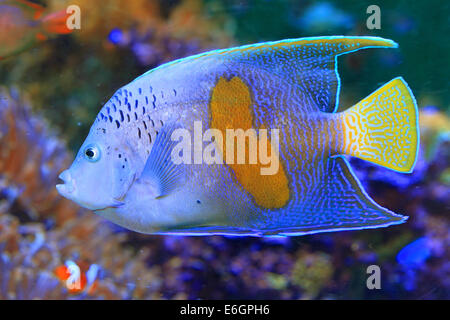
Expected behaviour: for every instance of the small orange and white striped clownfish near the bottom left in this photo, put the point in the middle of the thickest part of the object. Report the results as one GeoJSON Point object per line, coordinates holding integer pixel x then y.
{"type": "Point", "coordinates": [79, 277]}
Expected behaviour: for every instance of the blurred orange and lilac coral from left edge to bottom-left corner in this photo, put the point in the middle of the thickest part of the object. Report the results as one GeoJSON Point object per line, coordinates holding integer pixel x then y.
{"type": "Point", "coordinates": [39, 230]}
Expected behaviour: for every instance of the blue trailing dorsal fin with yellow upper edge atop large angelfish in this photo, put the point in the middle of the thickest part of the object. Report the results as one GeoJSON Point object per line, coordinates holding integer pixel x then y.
{"type": "Point", "coordinates": [308, 62]}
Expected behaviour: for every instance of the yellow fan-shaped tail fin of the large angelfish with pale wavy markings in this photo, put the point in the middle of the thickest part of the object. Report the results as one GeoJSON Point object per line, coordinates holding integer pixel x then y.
{"type": "Point", "coordinates": [383, 128]}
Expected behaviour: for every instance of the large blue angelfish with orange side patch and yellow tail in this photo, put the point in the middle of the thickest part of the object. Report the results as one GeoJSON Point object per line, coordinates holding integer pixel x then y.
{"type": "Point", "coordinates": [125, 169]}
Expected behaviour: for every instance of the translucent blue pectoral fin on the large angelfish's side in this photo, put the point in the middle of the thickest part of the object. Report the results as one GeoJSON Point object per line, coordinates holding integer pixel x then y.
{"type": "Point", "coordinates": [160, 173]}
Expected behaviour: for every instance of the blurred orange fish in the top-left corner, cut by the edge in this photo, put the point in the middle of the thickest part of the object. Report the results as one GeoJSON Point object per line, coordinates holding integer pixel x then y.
{"type": "Point", "coordinates": [22, 25]}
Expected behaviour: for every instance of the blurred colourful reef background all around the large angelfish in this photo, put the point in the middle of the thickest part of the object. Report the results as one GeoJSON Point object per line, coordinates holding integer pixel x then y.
{"type": "Point", "coordinates": [53, 82]}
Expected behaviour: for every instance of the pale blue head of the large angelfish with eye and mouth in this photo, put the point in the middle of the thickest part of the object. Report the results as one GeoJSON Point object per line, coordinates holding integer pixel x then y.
{"type": "Point", "coordinates": [101, 173]}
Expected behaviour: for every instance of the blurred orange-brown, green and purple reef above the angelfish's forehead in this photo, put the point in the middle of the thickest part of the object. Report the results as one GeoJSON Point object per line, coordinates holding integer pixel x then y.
{"type": "Point", "coordinates": [78, 73]}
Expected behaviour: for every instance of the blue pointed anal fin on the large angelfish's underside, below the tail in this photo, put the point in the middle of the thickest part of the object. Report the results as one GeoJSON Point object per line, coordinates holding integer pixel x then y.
{"type": "Point", "coordinates": [336, 203]}
